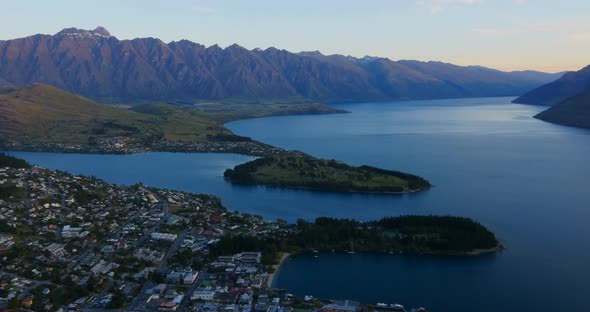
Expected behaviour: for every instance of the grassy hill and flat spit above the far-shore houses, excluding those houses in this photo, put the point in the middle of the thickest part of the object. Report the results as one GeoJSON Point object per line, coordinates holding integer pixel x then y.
{"type": "Point", "coordinates": [44, 114]}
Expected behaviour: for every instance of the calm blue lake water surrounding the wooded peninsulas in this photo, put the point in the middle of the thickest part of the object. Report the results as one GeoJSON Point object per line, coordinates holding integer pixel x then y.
{"type": "Point", "coordinates": [490, 160]}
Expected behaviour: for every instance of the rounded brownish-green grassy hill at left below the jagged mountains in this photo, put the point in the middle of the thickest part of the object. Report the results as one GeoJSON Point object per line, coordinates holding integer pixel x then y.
{"type": "Point", "coordinates": [44, 114]}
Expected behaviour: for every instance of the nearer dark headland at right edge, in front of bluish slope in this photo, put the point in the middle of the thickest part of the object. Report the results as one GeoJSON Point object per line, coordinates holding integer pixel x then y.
{"type": "Point", "coordinates": [573, 112]}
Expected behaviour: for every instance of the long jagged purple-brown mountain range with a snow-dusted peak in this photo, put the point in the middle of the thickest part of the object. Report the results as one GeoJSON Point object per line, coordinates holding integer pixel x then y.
{"type": "Point", "coordinates": [99, 66]}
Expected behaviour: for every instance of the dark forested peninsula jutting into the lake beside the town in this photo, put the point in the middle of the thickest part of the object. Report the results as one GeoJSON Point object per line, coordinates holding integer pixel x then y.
{"type": "Point", "coordinates": [443, 235]}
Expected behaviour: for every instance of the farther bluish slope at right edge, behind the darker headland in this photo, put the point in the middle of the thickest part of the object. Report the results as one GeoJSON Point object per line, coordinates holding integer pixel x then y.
{"type": "Point", "coordinates": [571, 84]}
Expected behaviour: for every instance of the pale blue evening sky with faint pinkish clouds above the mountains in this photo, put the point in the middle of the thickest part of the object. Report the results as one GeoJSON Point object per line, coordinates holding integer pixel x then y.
{"type": "Point", "coordinates": [545, 35]}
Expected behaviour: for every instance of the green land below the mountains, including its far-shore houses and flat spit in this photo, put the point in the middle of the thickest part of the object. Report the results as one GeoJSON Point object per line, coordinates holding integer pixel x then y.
{"type": "Point", "coordinates": [45, 118]}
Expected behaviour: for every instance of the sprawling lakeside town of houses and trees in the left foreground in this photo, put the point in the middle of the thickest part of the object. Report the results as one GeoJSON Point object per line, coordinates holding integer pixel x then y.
{"type": "Point", "coordinates": [72, 243]}
